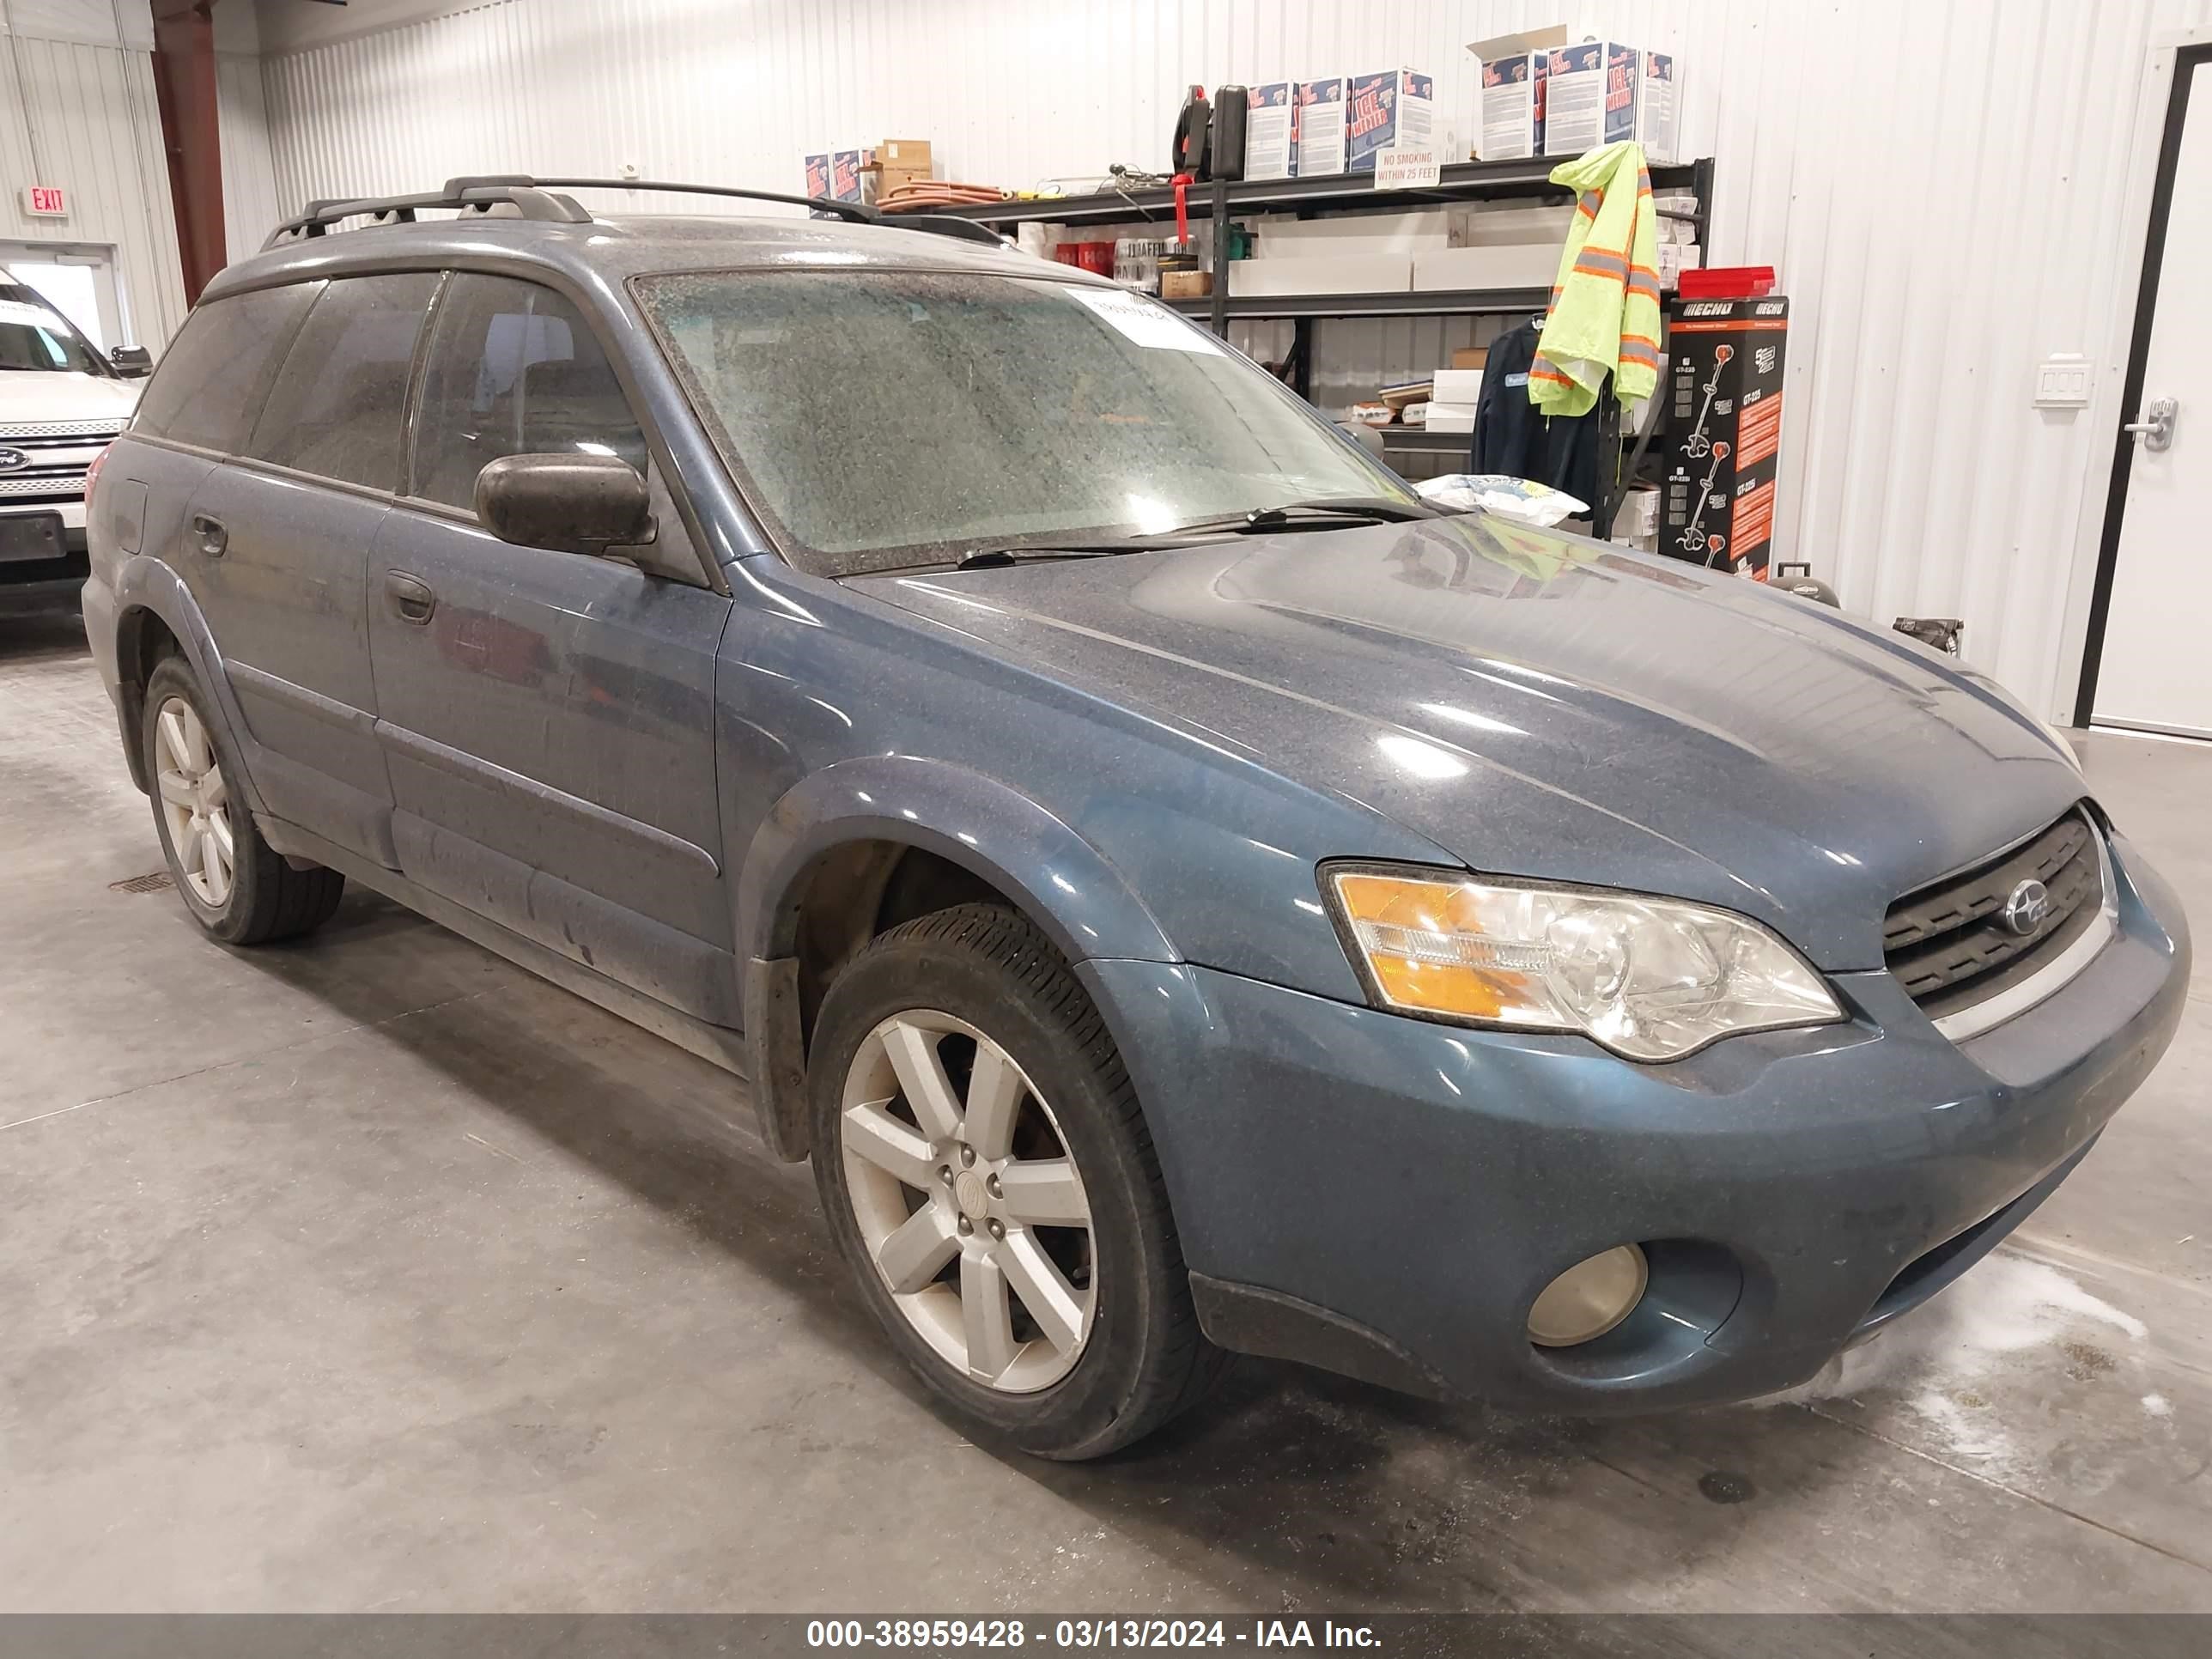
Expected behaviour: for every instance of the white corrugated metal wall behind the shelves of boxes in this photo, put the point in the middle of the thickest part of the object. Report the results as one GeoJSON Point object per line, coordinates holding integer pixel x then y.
{"type": "Point", "coordinates": [1939, 187]}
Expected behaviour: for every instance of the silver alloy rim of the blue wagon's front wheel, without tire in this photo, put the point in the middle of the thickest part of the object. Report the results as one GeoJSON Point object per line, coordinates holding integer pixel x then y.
{"type": "Point", "coordinates": [970, 1202]}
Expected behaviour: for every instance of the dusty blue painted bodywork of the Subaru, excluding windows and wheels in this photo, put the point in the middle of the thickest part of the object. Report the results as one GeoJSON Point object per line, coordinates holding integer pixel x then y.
{"type": "Point", "coordinates": [625, 780]}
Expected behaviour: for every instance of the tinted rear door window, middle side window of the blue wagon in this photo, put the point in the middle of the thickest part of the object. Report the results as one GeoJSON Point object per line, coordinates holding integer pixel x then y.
{"type": "Point", "coordinates": [342, 399]}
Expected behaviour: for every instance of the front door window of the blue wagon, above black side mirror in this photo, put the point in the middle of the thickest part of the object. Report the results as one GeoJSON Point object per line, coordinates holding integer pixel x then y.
{"type": "Point", "coordinates": [514, 371]}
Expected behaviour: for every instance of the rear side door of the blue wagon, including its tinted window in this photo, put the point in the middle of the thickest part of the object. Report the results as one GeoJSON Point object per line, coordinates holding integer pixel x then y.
{"type": "Point", "coordinates": [282, 536]}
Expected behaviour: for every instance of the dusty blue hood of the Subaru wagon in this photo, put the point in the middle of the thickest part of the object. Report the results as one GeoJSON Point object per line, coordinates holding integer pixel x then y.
{"type": "Point", "coordinates": [1547, 707]}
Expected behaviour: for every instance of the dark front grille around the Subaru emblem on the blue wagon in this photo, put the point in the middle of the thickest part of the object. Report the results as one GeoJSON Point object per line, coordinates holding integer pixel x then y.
{"type": "Point", "coordinates": [1950, 943]}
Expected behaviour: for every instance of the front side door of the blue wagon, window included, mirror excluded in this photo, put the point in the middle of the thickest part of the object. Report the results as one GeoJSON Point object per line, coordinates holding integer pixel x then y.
{"type": "Point", "coordinates": [547, 716]}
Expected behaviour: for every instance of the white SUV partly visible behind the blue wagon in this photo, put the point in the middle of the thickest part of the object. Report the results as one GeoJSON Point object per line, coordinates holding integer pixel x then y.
{"type": "Point", "coordinates": [61, 404]}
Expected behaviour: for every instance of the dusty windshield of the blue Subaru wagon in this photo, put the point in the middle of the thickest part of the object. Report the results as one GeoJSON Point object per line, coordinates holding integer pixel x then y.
{"type": "Point", "coordinates": [897, 419]}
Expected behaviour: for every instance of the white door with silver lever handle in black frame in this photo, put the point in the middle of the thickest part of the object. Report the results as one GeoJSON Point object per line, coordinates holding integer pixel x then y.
{"type": "Point", "coordinates": [2156, 671]}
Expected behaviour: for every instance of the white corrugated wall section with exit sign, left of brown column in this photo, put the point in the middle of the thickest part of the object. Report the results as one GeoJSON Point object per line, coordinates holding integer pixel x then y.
{"type": "Point", "coordinates": [79, 109]}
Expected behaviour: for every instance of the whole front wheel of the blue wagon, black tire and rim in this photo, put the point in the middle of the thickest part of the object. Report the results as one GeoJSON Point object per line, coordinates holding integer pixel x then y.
{"type": "Point", "coordinates": [981, 988]}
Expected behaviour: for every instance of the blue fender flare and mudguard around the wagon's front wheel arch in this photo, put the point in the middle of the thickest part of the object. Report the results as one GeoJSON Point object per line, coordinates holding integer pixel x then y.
{"type": "Point", "coordinates": [992, 831]}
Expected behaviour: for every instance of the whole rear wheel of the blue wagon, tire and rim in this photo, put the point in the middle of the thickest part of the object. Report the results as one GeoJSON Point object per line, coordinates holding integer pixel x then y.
{"type": "Point", "coordinates": [253, 897]}
